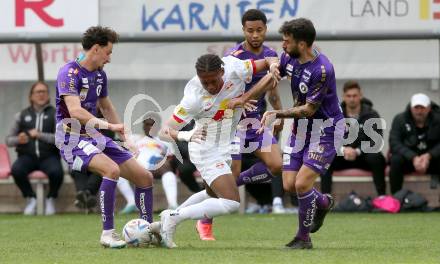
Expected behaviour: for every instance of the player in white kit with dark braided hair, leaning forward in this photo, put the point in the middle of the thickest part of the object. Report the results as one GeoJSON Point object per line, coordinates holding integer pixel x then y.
{"type": "Point", "coordinates": [209, 100]}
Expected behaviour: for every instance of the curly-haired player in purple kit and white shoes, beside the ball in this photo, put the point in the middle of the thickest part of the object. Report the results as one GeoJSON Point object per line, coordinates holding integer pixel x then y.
{"type": "Point", "coordinates": [81, 89]}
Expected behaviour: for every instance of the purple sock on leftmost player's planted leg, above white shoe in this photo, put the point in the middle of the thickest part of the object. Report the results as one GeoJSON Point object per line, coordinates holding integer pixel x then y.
{"type": "Point", "coordinates": [107, 202]}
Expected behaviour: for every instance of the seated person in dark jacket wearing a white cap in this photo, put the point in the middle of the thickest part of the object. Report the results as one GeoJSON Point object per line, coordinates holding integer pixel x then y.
{"type": "Point", "coordinates": [415, 140]}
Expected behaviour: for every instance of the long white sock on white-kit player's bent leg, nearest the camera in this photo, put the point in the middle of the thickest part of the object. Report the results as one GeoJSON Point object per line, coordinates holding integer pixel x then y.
{"type": "Point", "coordinates": [208, 208]}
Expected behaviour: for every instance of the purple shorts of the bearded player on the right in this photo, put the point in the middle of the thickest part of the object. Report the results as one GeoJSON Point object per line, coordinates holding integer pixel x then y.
{"type": "Point", "coordinates": [318, 159]}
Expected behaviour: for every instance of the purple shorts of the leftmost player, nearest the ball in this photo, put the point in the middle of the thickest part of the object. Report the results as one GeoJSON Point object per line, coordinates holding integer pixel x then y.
{"type": "Point", "coordinates": [80, 151]}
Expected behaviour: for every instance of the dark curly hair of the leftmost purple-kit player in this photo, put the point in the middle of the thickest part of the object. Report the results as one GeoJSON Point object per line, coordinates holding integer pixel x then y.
{"type": "Point", "coordinates": [98, 35]}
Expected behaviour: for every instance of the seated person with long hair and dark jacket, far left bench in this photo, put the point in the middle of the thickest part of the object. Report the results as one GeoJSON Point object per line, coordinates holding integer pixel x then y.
{"type": "Point", "coordinates": [33, 136]}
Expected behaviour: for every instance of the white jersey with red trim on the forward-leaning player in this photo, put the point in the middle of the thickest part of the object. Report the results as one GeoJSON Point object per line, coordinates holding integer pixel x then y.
{"type": "Point", "coordinates": [211, 111]}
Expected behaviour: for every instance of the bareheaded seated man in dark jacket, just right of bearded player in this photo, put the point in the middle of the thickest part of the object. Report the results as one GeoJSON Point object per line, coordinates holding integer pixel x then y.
{"type": "Point", "coordinates": [356, 107]}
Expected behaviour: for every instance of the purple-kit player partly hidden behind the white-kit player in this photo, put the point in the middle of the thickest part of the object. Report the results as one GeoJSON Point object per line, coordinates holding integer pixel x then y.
{"type": "Point", "coordinates": [254, 30]}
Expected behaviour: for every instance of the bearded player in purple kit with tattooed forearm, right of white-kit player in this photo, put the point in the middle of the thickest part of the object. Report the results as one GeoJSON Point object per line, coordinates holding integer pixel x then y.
{"type": "Point", "coordinates": [317, 129]}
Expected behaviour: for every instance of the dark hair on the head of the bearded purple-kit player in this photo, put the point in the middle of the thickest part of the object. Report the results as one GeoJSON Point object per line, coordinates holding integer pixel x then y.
{"type": "Point", "coordinates": [301, 29]}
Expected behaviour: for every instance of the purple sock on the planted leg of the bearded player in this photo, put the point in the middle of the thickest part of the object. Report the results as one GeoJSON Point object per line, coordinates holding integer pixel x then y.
{"type": "Point", "coordinates": [307, 209]}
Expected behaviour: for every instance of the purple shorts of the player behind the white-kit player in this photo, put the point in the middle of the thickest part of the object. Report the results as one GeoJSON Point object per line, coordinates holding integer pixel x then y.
{"type": "Point", "coordinates": [250, 142]}
